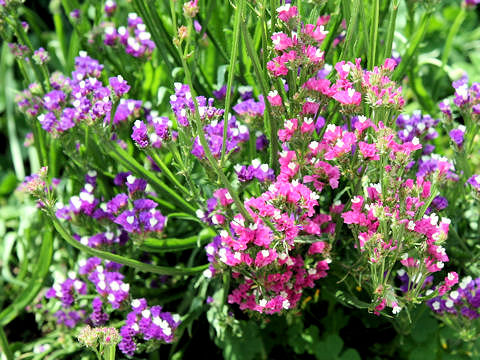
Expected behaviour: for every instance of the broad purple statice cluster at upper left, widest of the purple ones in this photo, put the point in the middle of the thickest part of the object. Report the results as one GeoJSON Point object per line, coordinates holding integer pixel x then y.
{"type": "Point", "coordinates": [81, 98]}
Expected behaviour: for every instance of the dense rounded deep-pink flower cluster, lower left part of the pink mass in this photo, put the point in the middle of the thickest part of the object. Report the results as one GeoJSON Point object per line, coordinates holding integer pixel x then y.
{"type": "Point", "coordinates": [264, 247]}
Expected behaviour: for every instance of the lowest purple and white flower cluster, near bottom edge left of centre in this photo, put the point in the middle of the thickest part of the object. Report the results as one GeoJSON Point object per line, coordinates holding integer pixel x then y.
{"type": "Point", "coordinates": [147, 324]}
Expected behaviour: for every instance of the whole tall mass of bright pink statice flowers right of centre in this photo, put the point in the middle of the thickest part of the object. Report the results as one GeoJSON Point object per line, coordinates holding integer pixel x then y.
{"type": "Point", "coordinates": [282, 247]}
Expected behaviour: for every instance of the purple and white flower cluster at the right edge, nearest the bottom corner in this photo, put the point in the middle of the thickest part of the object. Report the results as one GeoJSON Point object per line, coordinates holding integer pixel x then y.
{"type": "Point", "coordinates": [462, 302]}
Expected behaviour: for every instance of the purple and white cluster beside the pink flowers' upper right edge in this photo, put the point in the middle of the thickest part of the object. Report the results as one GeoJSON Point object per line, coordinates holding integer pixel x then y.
{"type": "Point", "coordinates": [416, 125]}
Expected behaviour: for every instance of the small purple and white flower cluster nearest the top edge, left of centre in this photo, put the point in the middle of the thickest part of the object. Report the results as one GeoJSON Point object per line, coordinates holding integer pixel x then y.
{"type": "Point", "coordinates": [134, 38]}
